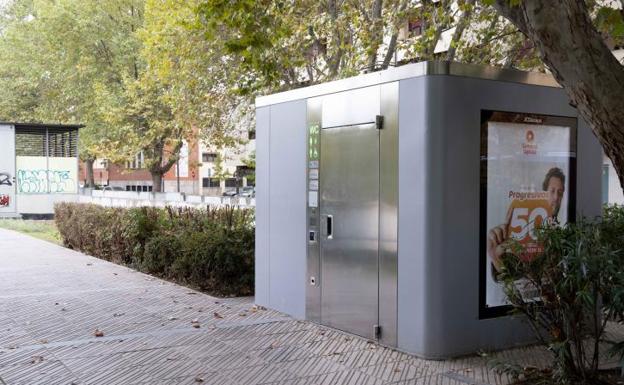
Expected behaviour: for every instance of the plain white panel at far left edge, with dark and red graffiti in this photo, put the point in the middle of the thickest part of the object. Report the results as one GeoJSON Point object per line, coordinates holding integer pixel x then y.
{"type": "Point", "coordinates": [7, 170]}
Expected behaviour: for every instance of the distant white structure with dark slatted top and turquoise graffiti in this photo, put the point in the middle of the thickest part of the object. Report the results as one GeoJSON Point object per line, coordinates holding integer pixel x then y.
{"type": "Point", "coordinates": [38, 167]}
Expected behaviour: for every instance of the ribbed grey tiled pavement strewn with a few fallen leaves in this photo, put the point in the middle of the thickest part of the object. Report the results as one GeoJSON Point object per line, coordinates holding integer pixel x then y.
{"type": "Point", "coordinates": [53, 299]}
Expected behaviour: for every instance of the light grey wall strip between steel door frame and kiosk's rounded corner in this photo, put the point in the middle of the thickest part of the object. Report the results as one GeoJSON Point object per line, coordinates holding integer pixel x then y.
{"type": "Point", "coordinates": [412, 234]}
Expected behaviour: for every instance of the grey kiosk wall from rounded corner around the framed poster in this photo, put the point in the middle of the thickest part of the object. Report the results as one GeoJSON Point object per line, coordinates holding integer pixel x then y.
{"type": "Point", "coordinates": [439, 216]}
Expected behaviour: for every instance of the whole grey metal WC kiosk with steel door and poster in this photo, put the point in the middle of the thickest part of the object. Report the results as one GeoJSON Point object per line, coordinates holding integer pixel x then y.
{"type": "Point", "coordinates": [379, 198]}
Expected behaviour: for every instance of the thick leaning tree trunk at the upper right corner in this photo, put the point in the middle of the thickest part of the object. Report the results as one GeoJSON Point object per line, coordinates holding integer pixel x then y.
{"type": "Point", "coordinates": [578, 57]}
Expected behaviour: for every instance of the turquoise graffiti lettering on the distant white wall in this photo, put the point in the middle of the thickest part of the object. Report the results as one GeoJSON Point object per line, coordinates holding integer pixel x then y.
{"type": "Point", "coordinates": [42, 181]}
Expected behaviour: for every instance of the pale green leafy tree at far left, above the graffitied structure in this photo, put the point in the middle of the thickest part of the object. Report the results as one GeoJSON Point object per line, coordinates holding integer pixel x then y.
{"type": "Point", "coordinates": [55, 57]}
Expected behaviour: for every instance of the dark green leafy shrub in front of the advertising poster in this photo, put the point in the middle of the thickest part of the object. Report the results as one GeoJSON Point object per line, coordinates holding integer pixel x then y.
{"type": "Point", "coordinates": [574, 288]}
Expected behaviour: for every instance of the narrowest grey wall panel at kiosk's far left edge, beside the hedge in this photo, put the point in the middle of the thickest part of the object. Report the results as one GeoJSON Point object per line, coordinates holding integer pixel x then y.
{"type": "Point", "coordinates": [262, 283]}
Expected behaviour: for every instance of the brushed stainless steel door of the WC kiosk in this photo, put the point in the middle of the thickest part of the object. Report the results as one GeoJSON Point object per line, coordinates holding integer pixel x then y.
{"type": "Point", "coordinates": [350, 228]}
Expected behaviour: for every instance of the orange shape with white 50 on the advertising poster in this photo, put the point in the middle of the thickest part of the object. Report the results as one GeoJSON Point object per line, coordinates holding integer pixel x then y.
{"type": "Point", "coordinates": [525, 215]}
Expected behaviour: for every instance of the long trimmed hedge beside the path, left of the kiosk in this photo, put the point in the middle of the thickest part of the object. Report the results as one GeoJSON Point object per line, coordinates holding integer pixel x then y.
{"type": "Point", "coordinates": [211, 249]}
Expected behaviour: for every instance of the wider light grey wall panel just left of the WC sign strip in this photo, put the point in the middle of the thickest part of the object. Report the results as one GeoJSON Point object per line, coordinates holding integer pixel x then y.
{"type": "Point", "coordinates": [287, 205]}
